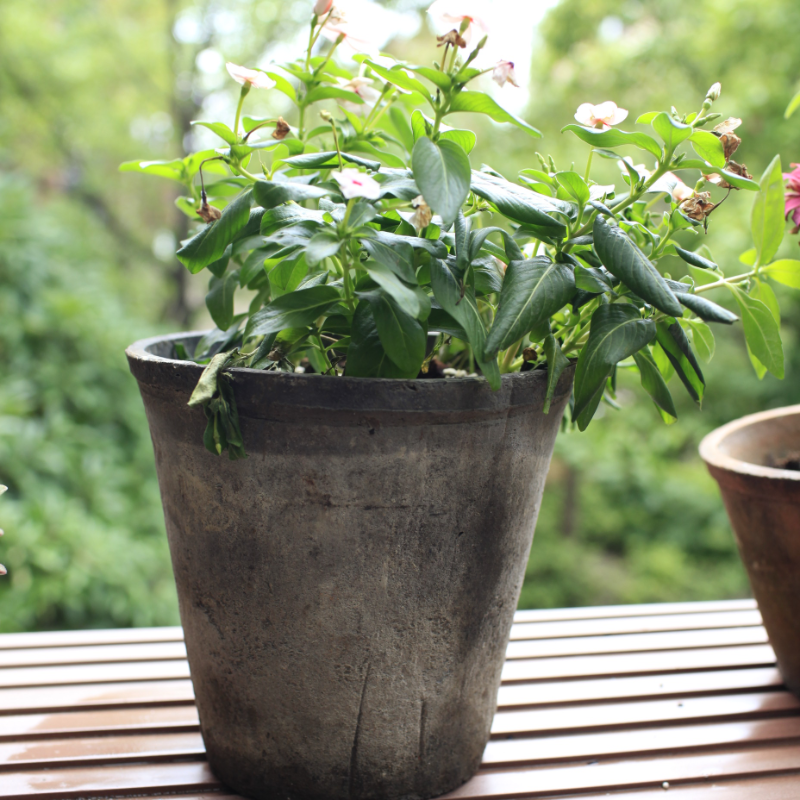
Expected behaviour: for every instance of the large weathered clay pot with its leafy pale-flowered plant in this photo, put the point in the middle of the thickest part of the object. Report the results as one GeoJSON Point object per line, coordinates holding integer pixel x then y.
{"type": "Point", "coordinates": [390, 397]}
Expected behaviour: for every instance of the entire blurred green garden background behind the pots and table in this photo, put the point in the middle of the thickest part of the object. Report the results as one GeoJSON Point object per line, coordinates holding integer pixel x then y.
{"type": "Point", "coordinates": [86, 267]}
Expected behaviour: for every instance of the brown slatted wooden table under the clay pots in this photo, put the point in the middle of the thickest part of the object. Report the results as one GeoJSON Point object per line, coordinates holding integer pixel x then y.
{"type": "Point", "coordinates": [628, 701]}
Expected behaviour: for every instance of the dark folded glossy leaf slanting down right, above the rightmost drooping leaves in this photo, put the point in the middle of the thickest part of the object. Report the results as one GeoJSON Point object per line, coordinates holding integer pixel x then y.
{"type": "Point", "coordinates": [623, 259]}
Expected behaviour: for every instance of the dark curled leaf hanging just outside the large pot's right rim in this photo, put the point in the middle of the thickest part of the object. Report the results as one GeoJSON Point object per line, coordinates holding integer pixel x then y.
{"type": "Point", "coordinates": [617, 331]}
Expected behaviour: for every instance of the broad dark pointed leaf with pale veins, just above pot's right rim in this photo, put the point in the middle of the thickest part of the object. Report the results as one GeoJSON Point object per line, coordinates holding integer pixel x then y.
{"type": "Point", "coordinates": [533, 290]}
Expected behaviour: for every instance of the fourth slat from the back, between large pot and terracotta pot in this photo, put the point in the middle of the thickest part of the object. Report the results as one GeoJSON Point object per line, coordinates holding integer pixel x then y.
{"type": "Point", "coordinates": [637, 663]}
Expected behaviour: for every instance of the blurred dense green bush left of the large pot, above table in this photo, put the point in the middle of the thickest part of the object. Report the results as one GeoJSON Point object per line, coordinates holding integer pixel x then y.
{"type": "Point", "coordinates": [84, 541]}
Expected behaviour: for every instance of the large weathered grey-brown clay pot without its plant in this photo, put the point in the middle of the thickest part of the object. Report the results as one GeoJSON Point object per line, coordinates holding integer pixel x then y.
{"type": "Point", "coordinates": [347, 591]}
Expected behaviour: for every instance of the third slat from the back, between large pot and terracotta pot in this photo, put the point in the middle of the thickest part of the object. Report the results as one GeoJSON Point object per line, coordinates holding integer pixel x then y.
{"type": "Point", "coordinates": [636, 642]}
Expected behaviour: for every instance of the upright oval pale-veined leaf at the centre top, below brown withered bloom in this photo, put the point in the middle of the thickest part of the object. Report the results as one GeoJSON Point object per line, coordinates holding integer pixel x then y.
{"type": "Point", "coordinates": [442, 173]}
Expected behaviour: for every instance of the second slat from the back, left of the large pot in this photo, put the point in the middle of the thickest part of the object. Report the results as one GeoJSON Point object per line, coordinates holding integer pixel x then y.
{"type": "Point", "coordinates": [97, 654]}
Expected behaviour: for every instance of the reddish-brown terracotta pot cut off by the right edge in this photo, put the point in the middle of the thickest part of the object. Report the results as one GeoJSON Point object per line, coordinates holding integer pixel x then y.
{"type": "Point", "coordinates": [763, 503]}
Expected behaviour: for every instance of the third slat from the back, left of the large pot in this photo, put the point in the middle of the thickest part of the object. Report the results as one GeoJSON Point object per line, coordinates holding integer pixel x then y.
{"type": "Point", "coordinates": [94, 673]}
